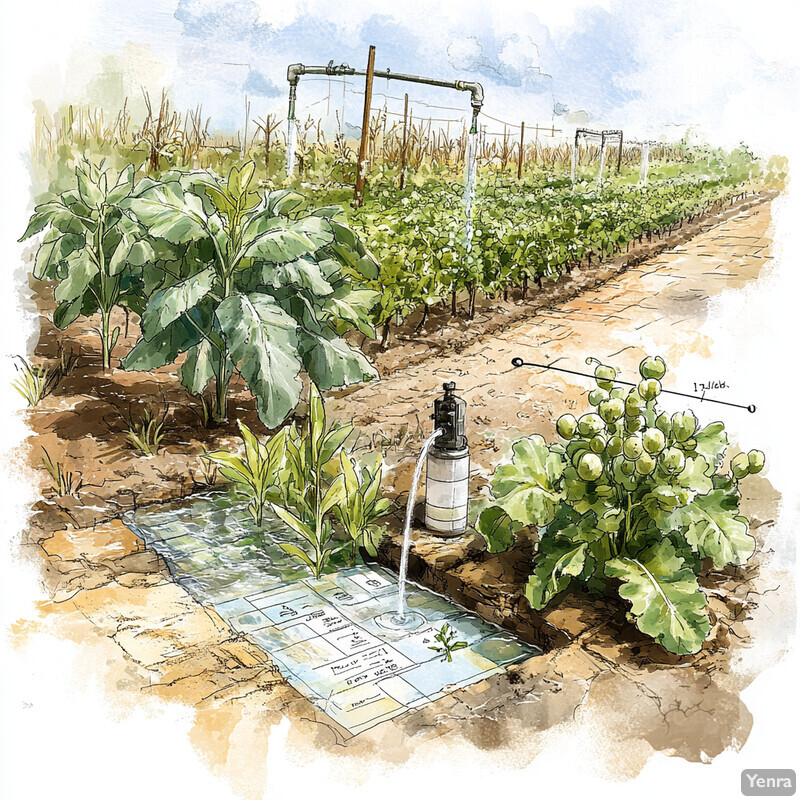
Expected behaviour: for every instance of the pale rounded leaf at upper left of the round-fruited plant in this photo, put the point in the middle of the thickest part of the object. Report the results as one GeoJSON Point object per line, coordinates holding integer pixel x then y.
{"type": "Point", "coordinates": [528, 488]}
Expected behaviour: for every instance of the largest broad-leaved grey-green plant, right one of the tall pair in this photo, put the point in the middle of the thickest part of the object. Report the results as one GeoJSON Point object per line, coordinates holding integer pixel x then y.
{"type": "Point", "coordinates": [246, 283]}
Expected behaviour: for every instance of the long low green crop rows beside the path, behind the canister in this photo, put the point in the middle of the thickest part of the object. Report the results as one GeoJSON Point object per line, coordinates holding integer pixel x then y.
{"type": "Point", "coordinates": [523, 233]}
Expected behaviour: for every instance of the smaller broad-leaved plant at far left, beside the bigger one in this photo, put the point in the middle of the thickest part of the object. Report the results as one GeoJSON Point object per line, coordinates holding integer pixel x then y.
{"type": "Point", "coordinates": [92, 249]}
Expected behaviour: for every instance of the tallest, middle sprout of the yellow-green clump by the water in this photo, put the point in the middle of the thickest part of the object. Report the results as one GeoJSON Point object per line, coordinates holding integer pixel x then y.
{"type": "Point", "coordinates": [312, 485]}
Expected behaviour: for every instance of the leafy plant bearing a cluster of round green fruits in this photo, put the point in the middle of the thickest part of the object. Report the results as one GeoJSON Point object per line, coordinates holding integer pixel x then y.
{"type": "Point", "coordinates": [632, 499]}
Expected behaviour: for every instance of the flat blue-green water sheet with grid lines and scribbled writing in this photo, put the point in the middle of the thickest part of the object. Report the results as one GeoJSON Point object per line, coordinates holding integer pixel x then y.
{"type": "Point", "coordinates": [324, 635]}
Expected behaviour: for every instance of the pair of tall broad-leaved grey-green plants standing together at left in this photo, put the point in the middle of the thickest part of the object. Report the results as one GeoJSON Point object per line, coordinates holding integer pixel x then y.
{"type": "Point", "coordinates": [236, 279]}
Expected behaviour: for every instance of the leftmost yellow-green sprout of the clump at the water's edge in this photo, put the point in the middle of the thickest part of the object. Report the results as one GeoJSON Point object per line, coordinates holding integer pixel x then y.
{"type": "Point", "coordinates": [256, 474]}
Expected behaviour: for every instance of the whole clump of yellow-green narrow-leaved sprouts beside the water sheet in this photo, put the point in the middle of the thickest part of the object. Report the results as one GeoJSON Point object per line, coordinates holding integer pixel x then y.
{"type": "Point", "coordinates": [307, 477]}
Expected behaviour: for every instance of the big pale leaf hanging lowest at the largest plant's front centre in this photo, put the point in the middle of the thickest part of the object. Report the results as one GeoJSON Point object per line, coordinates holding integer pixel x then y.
{"type": "Point", "coordinates": [262, 341]}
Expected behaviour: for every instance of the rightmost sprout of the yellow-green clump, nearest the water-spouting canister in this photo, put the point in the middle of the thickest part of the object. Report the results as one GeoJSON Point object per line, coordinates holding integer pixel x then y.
{"type": "Point", "coordinates": [362, 506]}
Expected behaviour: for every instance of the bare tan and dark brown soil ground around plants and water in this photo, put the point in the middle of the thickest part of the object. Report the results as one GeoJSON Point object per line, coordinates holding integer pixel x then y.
{"type": "Point", "coordinates": [116, 596]}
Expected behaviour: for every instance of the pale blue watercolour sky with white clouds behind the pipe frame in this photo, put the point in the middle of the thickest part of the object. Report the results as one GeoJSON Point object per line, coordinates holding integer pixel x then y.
{"type": "Point", "coordinates": [654, 69]}
